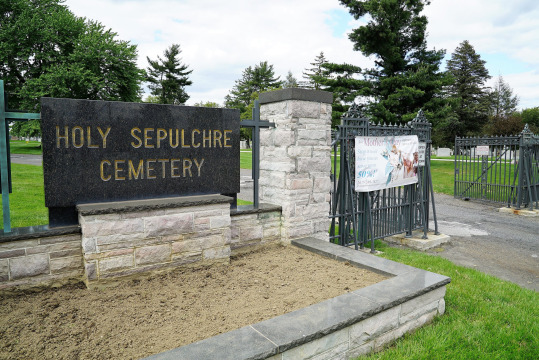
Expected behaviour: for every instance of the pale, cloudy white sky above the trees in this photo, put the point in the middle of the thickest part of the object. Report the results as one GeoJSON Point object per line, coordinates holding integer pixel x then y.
{"type": "Point", "coordinates": [219, 39]}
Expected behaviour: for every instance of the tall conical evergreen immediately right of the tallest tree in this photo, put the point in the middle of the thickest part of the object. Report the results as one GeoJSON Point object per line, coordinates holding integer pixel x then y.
{"type": "Point", "coordinates": [469, 92]}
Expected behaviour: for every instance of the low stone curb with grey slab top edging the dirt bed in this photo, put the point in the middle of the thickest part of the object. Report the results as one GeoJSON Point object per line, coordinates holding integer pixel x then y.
{"type": "Point", "coordinates": [325, 327]}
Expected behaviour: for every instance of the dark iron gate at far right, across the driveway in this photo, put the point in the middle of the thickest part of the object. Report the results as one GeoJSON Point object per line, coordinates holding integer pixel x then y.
{"type": "Point", "coordinates": [498, 169]}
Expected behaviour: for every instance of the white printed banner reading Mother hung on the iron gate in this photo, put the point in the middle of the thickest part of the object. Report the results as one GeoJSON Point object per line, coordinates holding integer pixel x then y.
{"type": "Point", "coordinates": [385, 162]}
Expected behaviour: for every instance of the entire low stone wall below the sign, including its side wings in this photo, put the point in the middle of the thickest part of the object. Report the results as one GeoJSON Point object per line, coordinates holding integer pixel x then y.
{"type": "Point", "coordinates": [127, 238]}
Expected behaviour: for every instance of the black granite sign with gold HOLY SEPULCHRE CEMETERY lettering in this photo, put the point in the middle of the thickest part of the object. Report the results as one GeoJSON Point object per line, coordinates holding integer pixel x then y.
{"type": "Point", "coordinates": [97, 151]}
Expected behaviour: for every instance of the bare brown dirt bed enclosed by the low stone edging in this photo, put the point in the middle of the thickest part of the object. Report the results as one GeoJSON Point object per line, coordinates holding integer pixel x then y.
{"type": "Point", "coordinates": [142, 317]}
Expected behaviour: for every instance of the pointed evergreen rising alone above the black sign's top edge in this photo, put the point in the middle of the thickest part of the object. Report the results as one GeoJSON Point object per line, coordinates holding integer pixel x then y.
{"type": "Point", "coordinates": [168, 77]}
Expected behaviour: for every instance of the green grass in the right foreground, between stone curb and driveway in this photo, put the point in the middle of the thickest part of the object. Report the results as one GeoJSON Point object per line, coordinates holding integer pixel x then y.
{"type": "Point", "coordinates": [485, 318]}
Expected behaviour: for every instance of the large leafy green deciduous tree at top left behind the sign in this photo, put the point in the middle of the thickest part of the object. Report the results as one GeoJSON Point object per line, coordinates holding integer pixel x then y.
{"type": "Point", "coordinates": [45, 50]}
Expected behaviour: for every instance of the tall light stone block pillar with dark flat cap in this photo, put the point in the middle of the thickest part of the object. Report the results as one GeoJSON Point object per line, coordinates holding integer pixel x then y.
{"type": "Point", "coordinates": [295, 159]}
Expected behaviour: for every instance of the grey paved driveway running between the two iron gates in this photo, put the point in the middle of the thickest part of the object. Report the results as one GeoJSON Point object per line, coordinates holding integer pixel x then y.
{"type": "Point", "coordinates": [503, 245]}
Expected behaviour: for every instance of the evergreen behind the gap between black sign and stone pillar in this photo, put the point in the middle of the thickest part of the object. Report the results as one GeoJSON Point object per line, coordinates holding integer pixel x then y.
{"type": "Point", "coordinates": [253, 80]}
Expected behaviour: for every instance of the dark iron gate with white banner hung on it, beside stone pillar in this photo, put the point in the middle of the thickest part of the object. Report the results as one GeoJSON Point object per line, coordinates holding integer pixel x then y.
{"type": "Point", "coordinates": [359, 217]}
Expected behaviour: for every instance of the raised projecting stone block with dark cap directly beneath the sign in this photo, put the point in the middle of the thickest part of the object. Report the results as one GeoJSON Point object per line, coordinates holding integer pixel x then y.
{"type": "Point", "coordinates": [132, 237]}
